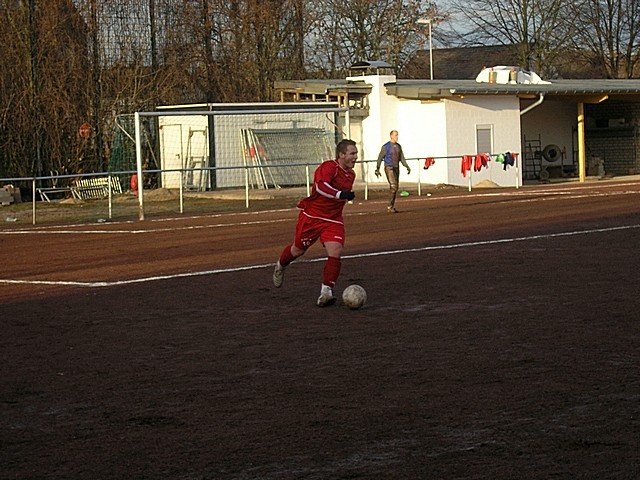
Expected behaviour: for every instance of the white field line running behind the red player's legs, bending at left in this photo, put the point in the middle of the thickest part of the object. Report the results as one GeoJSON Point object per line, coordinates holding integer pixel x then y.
{"type": "Point", "coordinates": [361, 255]}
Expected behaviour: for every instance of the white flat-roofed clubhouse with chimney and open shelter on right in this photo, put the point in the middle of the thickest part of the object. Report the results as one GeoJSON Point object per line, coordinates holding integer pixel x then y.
{"type": "Point", "coordinates": [557, 129]}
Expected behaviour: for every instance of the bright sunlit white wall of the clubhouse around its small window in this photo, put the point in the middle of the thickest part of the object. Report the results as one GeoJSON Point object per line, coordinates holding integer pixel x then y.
{"type": "Point", "coordinates": [444, 130]}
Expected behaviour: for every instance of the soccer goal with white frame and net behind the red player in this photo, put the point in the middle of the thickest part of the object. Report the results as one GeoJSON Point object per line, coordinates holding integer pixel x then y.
{"type": "Point", "coordinates": [251, 146]}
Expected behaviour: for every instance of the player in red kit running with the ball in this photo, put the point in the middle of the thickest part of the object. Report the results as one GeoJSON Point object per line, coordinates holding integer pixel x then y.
{"type": "Point", "coordinates": [321, 218]}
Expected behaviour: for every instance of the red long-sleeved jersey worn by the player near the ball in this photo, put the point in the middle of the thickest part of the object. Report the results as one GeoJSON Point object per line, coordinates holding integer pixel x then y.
{"type": "Point", "coordinates": [324, 203]}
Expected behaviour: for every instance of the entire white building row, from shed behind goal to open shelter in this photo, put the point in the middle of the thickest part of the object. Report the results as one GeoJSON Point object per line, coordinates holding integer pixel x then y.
{"type": "Point", "coordinates": [564, 128]}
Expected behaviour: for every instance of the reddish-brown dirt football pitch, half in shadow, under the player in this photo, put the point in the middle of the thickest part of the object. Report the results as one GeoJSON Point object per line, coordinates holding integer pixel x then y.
{"type": "Point", "coordinates": [500, 340]}
